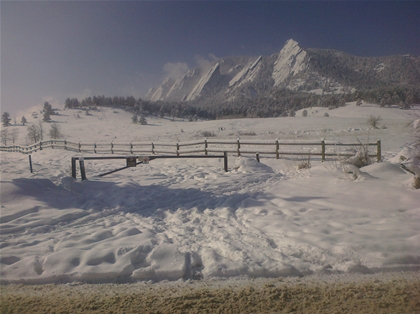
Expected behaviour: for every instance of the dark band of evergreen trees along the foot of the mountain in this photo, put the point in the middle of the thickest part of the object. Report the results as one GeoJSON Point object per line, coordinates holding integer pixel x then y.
{"type": "Point", "coordinates": [277, 103]}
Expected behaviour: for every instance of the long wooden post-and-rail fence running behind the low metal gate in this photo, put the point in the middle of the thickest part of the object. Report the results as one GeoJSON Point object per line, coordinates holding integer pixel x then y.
{"type": "Point", "coordinates": [239, 147]}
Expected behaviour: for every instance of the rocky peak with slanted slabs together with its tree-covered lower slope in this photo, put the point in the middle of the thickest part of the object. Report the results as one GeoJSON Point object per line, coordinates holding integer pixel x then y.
{"type": "Point", "coordinates": [292, 79]}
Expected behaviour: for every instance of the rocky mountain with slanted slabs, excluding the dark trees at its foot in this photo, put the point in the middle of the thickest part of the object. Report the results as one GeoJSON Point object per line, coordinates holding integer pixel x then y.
{"type": "Point", "coordinates": [310, 71]}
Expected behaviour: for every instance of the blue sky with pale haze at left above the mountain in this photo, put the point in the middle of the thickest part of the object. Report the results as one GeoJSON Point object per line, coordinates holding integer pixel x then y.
{"type": "Point", "coordinates": [51, 50]}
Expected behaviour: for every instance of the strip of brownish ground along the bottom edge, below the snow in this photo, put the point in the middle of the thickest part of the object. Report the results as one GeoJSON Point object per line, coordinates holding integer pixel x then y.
{"type": "Point", "coordinates": [392, 294]}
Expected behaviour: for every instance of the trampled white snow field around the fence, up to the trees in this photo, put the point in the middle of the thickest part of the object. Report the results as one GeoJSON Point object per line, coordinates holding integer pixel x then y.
{"type": "Point", "coordinates": [188, 219]}
